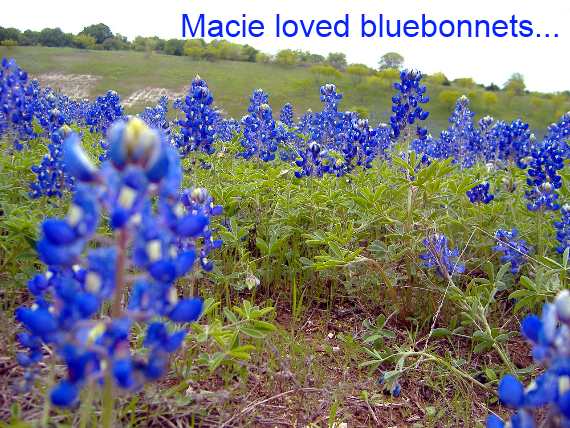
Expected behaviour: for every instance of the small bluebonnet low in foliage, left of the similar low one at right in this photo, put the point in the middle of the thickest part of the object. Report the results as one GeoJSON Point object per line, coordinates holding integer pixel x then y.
{"type": "Point", "coordinates": [439, 256]}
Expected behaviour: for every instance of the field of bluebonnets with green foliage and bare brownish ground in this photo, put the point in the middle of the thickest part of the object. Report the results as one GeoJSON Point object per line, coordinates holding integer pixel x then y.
{"type": "Point", "coordinates": [183, 267]}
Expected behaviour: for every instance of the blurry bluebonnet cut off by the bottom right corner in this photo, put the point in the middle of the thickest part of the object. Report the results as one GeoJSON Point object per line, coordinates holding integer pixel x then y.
{"type": "Point", "coordinates": [549, 336]}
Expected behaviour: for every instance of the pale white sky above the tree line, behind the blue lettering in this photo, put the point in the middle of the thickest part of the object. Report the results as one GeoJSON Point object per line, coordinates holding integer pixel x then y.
{"type": "Point", "coordinates": [544, 62]}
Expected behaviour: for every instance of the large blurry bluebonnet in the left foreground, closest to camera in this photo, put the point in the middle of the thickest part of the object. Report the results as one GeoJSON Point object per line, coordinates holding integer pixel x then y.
{"type": "Point", "coordinates": [142, 167]}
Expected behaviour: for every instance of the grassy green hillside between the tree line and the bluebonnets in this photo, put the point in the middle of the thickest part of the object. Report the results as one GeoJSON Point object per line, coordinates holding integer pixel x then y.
{"type": "Point", "coordinates": [232, 82]}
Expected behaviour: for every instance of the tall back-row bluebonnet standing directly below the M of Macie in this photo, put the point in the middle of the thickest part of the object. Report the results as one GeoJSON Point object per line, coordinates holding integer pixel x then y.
{"type": "Point", "coordinates": [197, 127]}
